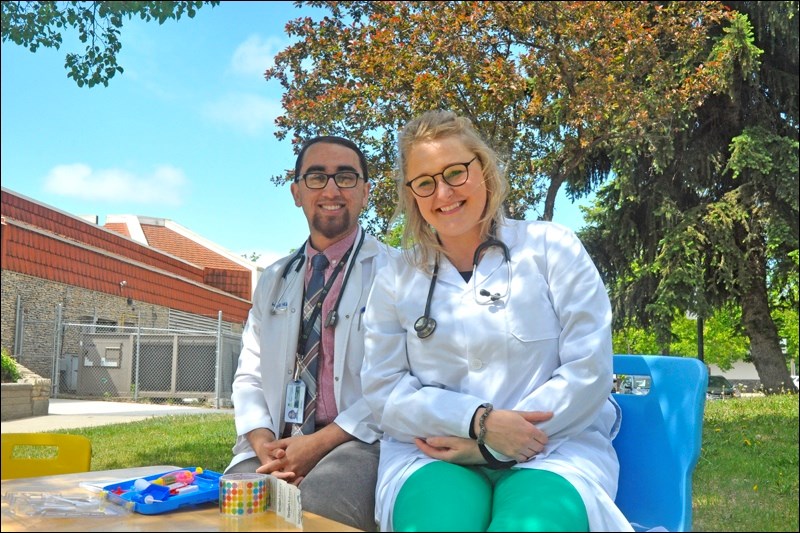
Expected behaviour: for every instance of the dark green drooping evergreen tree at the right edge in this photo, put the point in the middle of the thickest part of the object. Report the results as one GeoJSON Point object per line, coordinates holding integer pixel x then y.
{"type": "Point", "coordinates": [719, 222]}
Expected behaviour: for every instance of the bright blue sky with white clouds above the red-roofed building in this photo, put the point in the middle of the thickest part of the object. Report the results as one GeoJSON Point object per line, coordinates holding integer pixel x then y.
{"type": "Point", "coordinates": [185, 133]}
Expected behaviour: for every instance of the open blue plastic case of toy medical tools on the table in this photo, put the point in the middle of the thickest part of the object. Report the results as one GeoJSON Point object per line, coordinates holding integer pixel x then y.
{"type": "Point", "coordinates": [127, 495]}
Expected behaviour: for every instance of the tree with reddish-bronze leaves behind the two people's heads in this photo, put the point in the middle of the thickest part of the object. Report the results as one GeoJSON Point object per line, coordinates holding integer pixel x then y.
{"type": "Point", "coordinates": [560, 89]}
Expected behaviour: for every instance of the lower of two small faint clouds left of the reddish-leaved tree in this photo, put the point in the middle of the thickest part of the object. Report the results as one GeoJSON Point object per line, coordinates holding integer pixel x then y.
{"type": "Point", "coordinates": [248, 113]}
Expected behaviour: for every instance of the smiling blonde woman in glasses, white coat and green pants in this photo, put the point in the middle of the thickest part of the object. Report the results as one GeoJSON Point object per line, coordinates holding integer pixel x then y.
{"type": "Point", "coordinates": [488, 356]}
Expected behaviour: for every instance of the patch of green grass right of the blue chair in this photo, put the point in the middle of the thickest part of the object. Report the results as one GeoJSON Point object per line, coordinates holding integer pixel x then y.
{"type": "Point", "coordinates": [747, 475]}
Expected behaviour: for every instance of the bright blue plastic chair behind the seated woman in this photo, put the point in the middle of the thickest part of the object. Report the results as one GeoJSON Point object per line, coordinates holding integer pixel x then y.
{"type": "Point", "coordinates": [658, 444]}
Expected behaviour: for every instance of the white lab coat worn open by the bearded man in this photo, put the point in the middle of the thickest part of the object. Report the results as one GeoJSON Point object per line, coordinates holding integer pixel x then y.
{"type": "Point", "coordinates": [269, 343]}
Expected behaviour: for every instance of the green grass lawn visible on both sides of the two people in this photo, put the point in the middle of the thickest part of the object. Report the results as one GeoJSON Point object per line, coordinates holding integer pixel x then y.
{"type": "Point", "coordinates": [746, 478]}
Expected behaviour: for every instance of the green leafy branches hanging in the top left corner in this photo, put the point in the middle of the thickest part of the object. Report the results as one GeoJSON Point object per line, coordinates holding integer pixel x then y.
{"type": "Point", "coordinates": [35, 24]}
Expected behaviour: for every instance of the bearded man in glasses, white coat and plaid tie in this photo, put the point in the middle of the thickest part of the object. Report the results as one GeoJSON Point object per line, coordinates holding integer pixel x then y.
{"type": "Point", "coordinates": [331, 451]}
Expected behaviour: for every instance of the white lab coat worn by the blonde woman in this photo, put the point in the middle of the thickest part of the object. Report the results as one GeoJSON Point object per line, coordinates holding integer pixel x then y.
{"type": "Point", "coordinates": [544, 347]}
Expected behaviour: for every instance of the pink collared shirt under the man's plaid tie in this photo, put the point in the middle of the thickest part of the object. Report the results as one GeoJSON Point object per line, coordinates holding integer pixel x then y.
{"type": "Point", "coordinates": [326, 403]}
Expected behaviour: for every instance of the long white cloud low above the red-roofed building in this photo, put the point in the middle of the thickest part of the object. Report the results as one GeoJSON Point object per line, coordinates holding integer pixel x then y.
{"type": "Point", "coordinates": [163, 187]}
